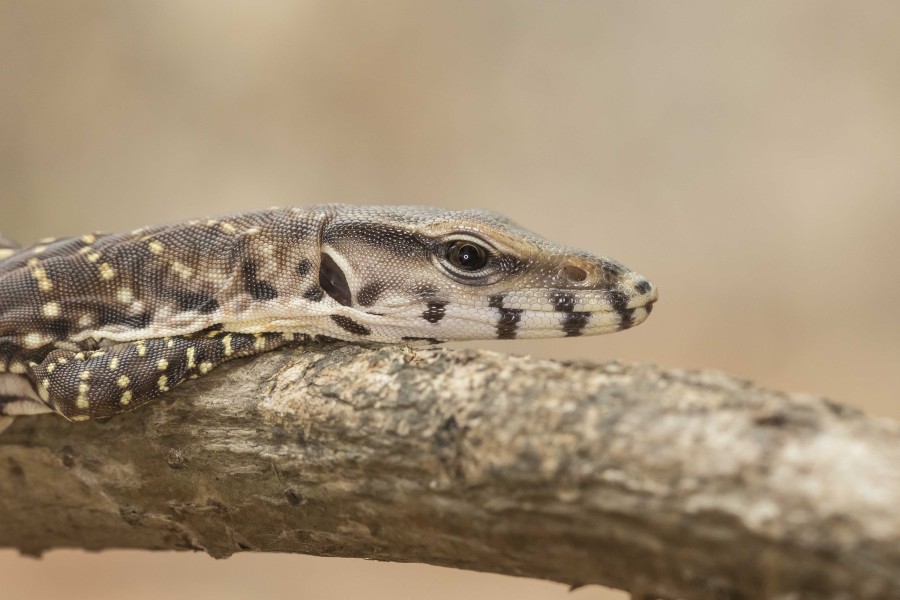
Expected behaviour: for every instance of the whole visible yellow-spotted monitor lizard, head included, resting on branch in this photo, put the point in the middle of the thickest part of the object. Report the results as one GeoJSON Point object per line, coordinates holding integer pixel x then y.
{"type": "Point", "coordinates": [97, 325]}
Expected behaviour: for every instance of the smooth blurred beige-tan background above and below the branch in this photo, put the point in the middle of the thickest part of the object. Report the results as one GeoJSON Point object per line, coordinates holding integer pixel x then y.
{"type": "Point", "coordinates": [743, 156]}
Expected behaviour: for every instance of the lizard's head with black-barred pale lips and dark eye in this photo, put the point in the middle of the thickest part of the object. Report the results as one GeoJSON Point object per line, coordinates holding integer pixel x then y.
{"type": "Point", "coordinates": [408, 273]}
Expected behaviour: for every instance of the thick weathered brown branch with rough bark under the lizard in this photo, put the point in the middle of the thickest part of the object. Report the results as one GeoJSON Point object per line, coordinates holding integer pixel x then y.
{"type": "Point", "coordinates": [670, 483]}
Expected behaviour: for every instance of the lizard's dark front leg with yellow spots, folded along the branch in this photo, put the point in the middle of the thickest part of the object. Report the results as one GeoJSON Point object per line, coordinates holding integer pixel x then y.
{"type": "Point", "coordinates": [102, 383]}
